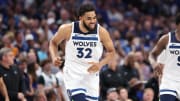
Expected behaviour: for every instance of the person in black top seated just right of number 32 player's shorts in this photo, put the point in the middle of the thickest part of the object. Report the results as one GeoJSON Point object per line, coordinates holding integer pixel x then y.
{"type": "Point", "coordinates": [111, 77]}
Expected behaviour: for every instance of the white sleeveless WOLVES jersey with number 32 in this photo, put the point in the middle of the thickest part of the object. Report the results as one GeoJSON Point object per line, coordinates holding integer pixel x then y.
{"type": "Point", "coordinates": [82, 48]}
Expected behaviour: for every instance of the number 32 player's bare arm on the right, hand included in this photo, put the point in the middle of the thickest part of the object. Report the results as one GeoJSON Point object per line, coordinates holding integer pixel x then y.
{"type": "Point", "coordinates": [110, 51]}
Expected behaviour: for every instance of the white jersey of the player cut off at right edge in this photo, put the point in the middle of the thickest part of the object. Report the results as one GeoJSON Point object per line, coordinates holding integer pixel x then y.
{"type": "Point", "coordinates": [172, 62]}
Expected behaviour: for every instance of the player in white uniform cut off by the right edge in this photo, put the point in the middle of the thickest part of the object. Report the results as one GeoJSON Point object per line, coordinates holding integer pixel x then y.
{"type": "Point", "coordinates": [170, 83]}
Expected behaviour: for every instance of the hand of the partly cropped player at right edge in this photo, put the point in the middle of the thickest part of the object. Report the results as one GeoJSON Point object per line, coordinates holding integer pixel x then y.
{"type": "Point", "coordinates": [158, 69]}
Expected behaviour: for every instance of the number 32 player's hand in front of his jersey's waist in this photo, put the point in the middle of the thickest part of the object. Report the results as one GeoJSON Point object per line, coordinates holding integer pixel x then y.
{"type": "Point", "coordinates": [94, 68]}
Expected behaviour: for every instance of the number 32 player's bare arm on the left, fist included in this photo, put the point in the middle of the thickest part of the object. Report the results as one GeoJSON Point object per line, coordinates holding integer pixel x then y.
{"type": "Point", "coordinates": [63, 33]}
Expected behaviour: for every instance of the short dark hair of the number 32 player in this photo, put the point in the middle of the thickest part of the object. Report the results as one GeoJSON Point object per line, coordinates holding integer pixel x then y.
{"type": "Point", "coordinates": [85, 8]}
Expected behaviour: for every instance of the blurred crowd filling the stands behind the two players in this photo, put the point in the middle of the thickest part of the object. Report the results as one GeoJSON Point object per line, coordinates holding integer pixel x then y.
{"type": "Point", "coordinates": [26, 26]}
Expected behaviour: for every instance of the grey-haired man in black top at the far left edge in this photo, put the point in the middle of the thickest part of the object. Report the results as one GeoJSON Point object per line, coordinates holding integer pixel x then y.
{"type": "Point", "coordinates": [11, 75]}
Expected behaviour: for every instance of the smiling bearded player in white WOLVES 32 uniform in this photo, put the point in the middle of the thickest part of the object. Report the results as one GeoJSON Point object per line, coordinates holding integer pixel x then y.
{"type": "Point", "coordinates": [83, 50]}
